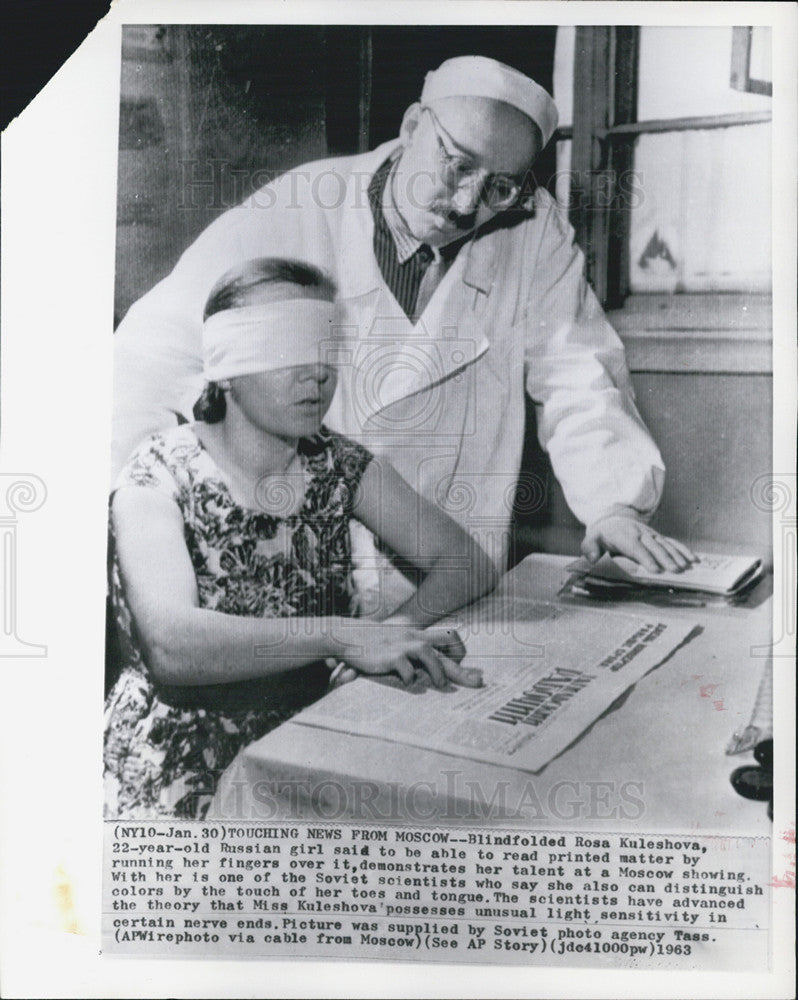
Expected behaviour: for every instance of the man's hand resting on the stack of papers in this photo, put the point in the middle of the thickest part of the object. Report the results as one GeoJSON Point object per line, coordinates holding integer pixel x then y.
{"type": "Point", "coordinates": [626, 536]}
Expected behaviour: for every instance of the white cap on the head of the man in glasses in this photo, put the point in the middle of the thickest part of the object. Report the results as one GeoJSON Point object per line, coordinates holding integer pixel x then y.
{"type": "Point", "coordinates": [478, 76]}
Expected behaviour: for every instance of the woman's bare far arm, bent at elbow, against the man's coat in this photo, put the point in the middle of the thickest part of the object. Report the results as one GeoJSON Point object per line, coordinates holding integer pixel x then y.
{"type": "Point", "coordinates": [457, 571]}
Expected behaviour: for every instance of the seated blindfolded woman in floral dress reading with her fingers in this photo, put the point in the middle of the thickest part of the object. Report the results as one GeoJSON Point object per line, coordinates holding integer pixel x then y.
{"type": "Point", "coordinates": [232, 573]}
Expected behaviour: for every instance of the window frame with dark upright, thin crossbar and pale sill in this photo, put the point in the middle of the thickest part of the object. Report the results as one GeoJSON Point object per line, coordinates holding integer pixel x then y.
{"type": "Point", "coordinates": [724, 331]}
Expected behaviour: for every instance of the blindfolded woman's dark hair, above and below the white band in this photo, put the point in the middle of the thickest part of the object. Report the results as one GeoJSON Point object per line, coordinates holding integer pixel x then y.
{"type": "Point", "coordinates": [234, 290]}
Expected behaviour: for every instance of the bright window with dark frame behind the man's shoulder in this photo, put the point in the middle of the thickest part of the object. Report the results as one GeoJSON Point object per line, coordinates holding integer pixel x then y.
{"type": "Point", "coordinates": [664, 163]}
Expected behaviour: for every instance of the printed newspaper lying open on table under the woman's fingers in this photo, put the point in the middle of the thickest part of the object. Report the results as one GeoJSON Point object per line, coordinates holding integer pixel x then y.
{"type": "Point", "coordinates": [546, 680]}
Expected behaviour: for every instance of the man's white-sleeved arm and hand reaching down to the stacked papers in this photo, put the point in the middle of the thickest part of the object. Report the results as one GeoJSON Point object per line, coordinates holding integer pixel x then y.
{"type": "Point", "coordinates": [610, 469]}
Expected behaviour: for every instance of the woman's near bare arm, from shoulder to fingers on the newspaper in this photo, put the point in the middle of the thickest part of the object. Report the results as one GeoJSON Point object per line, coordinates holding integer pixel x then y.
{"type": "Point", "coordinates": [185, 644]}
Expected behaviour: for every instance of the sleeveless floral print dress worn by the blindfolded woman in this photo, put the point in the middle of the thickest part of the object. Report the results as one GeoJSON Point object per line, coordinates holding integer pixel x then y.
{"type": "Point", "coordinates": [165, 747]}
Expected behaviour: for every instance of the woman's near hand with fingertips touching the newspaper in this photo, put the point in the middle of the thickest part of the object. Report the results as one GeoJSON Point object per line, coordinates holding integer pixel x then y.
{"type": "Point", "coordinates": [397, 647]}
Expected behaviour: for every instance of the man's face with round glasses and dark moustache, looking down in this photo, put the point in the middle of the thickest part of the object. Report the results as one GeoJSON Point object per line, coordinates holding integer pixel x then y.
{"type": "Point", "coordinates": [459, 155]}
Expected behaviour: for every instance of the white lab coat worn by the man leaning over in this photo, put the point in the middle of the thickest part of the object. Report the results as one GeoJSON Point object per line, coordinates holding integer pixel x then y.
{"type": "Point", "coordinates": [443, 400]}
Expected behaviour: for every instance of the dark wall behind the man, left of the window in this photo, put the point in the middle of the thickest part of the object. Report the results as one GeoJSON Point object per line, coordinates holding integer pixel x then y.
{"type": "Point", "coordinates": [211, 112]}
